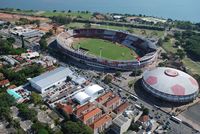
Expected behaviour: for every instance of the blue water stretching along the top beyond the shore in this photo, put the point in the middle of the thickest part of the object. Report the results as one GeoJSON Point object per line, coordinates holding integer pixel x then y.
{"type": "Point", "coordinates": [174, 9]}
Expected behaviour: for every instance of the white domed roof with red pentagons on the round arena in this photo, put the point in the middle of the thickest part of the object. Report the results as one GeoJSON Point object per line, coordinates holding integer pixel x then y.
{"type": "Point", "coordinates": [171, 81]}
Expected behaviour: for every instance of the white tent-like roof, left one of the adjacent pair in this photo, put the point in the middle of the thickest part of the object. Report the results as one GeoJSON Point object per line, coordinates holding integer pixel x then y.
{"type": "Point", "coordinates": [82, 97]}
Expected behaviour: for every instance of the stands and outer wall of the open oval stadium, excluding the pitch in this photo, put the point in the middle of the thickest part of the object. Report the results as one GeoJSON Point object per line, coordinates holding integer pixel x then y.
{"type": "Point", "coordinates": [147, 49]}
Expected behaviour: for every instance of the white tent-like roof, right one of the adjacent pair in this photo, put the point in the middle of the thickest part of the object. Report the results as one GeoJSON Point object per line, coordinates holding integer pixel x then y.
{"type": "Point", "coordinates": [92, 90]}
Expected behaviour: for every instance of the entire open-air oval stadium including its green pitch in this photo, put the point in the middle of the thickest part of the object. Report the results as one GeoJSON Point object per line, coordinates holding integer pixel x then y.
{"type": "Point", "coordinates": [107, 49]}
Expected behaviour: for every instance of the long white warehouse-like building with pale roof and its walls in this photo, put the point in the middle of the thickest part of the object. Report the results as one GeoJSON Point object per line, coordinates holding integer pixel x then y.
{"type": "Point", "coordinates": [46, 81]}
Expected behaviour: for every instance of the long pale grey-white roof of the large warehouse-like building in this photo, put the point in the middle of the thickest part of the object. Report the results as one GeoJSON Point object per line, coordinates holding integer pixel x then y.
{"type": "Point", "coordinates": [48, 78]}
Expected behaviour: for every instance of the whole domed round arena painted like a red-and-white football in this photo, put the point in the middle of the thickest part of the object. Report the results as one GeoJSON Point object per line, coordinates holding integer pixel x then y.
{"type": "Point", "coordinates": [170, 84]}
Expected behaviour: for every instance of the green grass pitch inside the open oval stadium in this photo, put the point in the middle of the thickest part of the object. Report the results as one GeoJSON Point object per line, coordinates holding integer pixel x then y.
{"type": "Point", "coordinates": [108, 49]}
